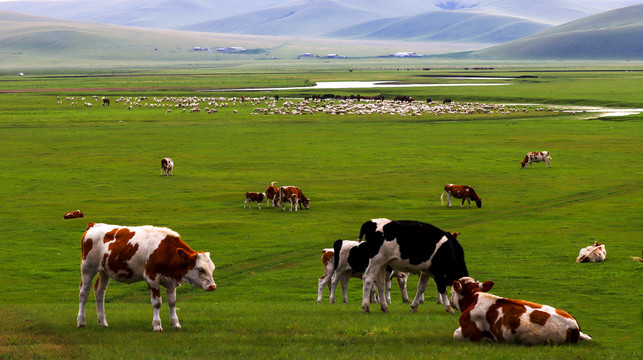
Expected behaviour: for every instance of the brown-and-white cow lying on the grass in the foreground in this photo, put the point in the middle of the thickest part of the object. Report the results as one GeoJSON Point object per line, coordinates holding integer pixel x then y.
{"type": "Point", "coordinates": [491, 318]}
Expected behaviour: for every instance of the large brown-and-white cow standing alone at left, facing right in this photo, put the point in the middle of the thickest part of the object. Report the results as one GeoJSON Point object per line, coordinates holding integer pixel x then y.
{"type": "Point", "coordinates": [155, 255]}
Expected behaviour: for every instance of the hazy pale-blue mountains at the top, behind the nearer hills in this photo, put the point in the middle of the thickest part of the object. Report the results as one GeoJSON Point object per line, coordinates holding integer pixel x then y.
{"type": "Point", "coordinates": [483, 21]}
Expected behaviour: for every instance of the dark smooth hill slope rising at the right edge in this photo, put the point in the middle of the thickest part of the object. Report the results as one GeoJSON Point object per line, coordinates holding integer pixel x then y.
{"type": "Point", "coordinates": [616, 34]}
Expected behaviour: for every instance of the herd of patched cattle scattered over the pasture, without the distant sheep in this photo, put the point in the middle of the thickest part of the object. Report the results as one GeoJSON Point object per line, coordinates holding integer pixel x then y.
{"type": "Point", "coordinates": [385, 249]}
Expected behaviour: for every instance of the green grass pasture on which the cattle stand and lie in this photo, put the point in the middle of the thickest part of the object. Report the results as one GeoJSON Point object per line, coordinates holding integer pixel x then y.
{"type": "Point", "coordinates": [105, 161]}
